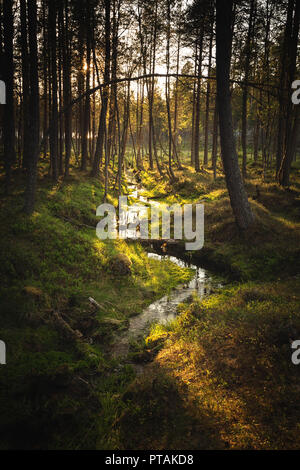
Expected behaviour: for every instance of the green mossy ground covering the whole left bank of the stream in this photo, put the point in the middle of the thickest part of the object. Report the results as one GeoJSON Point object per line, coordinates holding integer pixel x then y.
{"type": "Point", "coordinates": [58, 392]}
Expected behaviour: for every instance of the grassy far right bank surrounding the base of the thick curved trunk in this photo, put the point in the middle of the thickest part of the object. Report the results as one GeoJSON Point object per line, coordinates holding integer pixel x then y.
{"type": "Point", "coordinates": [270, 248]}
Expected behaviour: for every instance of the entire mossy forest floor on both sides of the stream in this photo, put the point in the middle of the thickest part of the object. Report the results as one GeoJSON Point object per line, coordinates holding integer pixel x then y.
{"type": "Point", "coordinates": [221, 375]}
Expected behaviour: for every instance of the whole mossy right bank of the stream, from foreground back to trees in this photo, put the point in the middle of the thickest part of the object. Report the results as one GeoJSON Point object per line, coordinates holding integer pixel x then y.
{"type": "Point", "coordinates": [223, 376]}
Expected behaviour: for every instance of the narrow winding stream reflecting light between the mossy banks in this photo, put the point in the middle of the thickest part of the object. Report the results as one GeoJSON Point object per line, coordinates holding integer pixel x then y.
{"type": "Point", "coordinates": [165, 309]}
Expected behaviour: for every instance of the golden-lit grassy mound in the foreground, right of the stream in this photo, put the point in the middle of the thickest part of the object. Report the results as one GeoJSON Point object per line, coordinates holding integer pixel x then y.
{"type": "Point", "coordinates": [228, 360]}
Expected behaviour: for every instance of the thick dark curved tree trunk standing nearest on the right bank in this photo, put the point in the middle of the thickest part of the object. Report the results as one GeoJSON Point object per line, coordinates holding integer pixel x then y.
{"type": "Point", "coordinates": [238, 197]}
